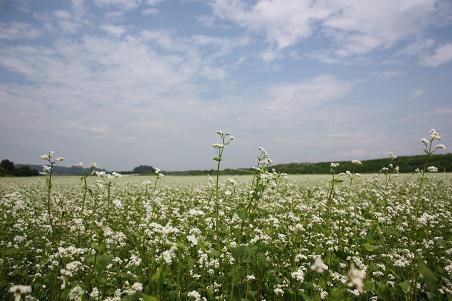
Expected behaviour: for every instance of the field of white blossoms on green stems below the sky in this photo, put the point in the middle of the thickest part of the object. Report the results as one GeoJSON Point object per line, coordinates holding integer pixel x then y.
{"type": "Point", "coordinates": [378, 237]}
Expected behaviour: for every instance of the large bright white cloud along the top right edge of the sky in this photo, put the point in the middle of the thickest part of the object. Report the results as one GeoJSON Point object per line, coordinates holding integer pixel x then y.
{"type": "Point", "coordinates": [353, 27]}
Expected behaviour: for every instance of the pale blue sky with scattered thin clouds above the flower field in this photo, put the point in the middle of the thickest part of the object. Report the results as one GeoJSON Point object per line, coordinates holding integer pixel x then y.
{"type": "Point", "coordinates": [130, 82]}
